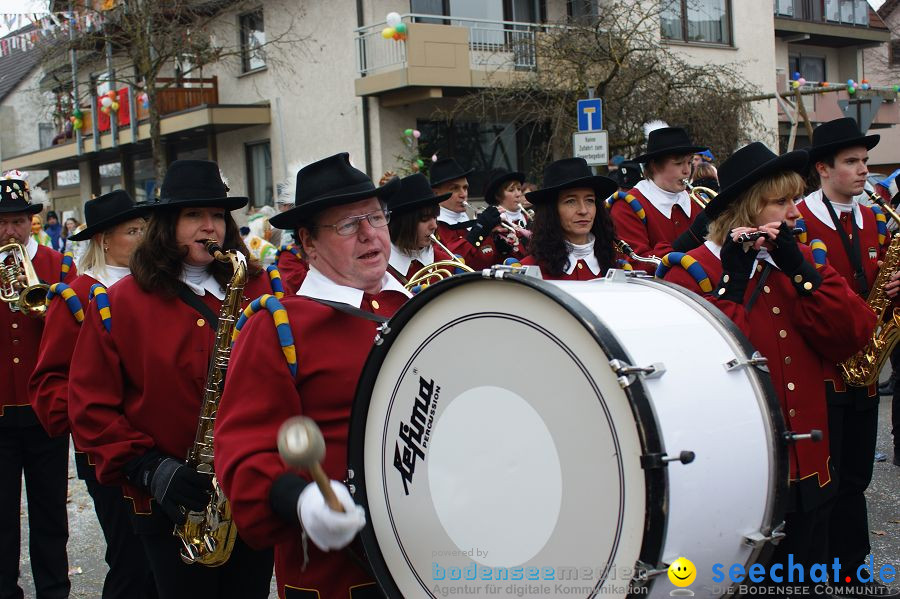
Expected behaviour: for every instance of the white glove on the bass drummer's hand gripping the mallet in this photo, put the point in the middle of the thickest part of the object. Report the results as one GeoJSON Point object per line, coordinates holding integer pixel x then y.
{"type": "Point", "coordinates": [327, 528]}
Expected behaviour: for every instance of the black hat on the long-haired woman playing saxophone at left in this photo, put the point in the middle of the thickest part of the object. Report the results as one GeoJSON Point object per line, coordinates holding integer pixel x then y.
{"type": "Point", "coordinates": [196, 183]}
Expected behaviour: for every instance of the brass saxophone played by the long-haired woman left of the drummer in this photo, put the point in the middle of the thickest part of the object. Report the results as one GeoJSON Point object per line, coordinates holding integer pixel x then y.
{"type": "Point", "coordinates": [208, 536]}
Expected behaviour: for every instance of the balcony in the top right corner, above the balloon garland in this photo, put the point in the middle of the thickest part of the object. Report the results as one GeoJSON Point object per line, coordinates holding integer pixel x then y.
{"type": "Point", "coordinates": [831, 23]}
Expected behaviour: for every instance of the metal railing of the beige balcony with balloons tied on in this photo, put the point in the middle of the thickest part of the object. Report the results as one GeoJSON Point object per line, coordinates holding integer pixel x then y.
{"type": "Point", "coordinates": [494, 44]}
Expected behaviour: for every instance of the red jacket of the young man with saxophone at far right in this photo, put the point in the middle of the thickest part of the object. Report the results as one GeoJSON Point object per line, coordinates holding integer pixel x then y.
{"type": "Point", "coordinates": [871, 251]}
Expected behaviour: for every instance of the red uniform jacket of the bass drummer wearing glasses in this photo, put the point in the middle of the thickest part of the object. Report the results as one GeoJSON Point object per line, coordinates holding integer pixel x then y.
{"type": "Point", "coordinates": [260, 394]}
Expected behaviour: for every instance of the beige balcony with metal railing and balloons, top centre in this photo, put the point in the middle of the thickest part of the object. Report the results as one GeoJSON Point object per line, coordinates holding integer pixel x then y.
{"type": "Point", "coordinates": [440, 53]}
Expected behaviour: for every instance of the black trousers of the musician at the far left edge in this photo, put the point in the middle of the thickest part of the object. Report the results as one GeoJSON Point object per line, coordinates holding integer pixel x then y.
{"type": "Point", "coordinates": [45, 463]}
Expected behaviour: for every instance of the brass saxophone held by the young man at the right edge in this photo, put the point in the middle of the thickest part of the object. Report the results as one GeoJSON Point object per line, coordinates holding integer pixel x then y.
{"type": "Point", "coordinates": [862, 369]}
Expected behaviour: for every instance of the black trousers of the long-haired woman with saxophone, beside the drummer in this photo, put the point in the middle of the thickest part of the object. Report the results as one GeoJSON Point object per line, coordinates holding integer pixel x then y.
{"type": "Point", "coordinates": [246, 575]}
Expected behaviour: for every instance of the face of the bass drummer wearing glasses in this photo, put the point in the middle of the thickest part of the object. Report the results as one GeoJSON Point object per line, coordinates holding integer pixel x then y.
{"type": "Point", "coordinates": [358, 260]}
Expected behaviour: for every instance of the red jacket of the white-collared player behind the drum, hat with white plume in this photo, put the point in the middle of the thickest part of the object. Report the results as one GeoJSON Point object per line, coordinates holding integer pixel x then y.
{"type": "Point", "coordinates": [655, 237]}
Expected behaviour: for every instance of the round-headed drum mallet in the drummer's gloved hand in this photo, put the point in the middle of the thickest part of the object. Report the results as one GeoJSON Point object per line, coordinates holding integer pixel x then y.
{"type": "Point", "coordinates": [301, 445]}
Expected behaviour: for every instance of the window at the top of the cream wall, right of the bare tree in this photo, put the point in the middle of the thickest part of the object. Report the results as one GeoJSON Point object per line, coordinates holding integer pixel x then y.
{"type": "Point", "coordinates": [704, 21]}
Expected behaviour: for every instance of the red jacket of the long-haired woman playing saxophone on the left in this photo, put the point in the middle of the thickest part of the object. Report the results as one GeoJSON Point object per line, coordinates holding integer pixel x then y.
{"type": "Point", "coordinates": [140, 385]}
